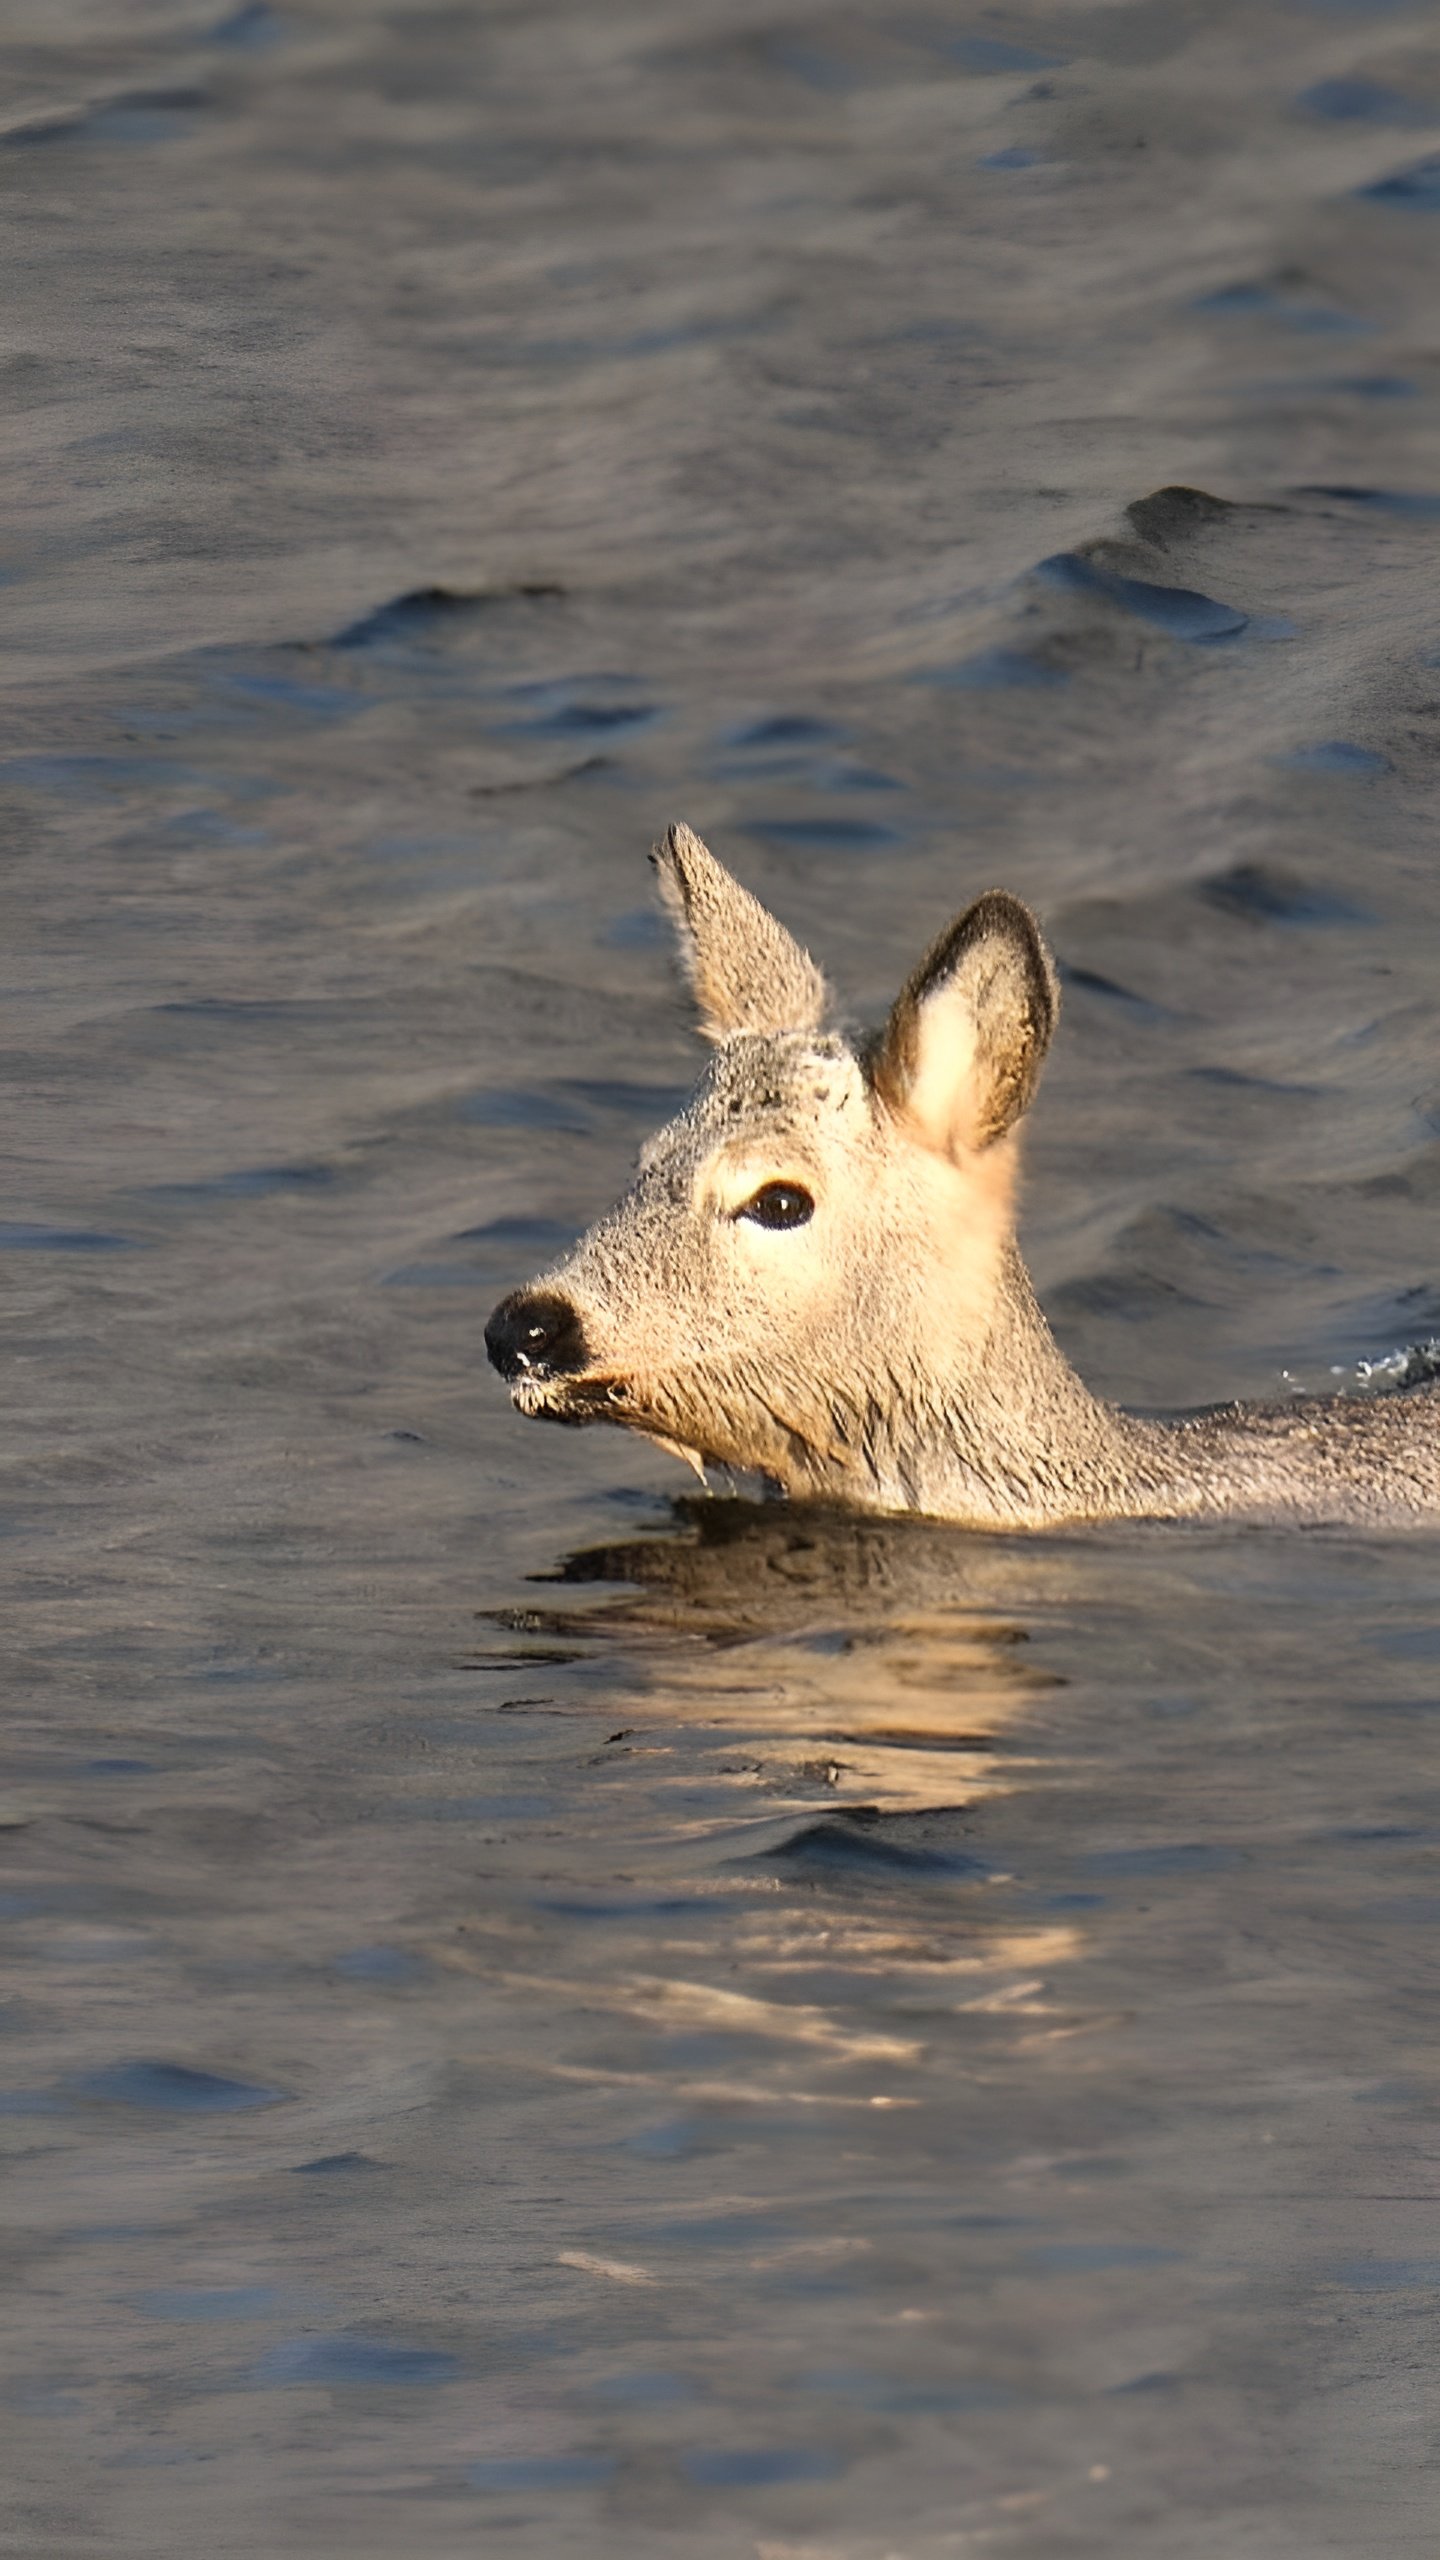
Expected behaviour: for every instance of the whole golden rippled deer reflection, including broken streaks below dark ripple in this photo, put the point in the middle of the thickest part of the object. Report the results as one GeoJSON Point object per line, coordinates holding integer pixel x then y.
{"type": "Point", "coordinates": [819, 1714]}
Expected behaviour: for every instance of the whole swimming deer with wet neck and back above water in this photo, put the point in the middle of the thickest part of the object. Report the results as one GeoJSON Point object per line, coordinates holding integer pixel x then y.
{"type": "Point", "coordinates": [816, 1271]}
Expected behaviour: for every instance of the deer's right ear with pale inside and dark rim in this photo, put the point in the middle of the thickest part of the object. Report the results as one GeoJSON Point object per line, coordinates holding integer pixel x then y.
{"type": "Point", "coordinates": [965, 1046]}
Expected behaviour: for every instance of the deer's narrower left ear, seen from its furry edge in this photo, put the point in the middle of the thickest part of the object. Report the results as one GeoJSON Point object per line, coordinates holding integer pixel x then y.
{"type": "Point", "coordinates": [744, 972]}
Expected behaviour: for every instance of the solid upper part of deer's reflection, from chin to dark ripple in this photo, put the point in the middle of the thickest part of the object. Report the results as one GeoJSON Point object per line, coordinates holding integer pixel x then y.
{"type": "Point", "coordinates": [872, 1663]}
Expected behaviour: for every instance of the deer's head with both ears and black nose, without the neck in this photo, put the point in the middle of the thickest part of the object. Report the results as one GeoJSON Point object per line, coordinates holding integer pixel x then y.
{"type": "Point", "coordinates": [811, 1271]}
